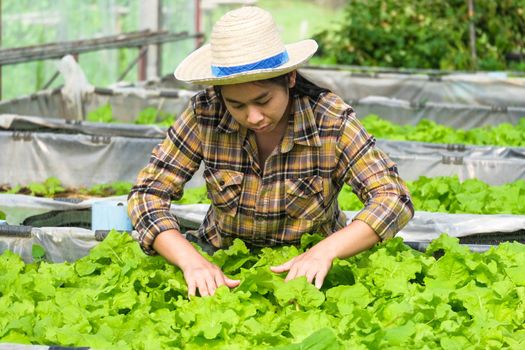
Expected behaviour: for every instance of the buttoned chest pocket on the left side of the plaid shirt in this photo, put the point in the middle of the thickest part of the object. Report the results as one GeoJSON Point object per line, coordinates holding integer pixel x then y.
{"type": "Point", "coordinates": [224, 189]}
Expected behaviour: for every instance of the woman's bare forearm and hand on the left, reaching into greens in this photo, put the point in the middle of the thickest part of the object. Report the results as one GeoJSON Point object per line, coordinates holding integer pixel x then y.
{"type": "Point", "coordinates": [199, 273]}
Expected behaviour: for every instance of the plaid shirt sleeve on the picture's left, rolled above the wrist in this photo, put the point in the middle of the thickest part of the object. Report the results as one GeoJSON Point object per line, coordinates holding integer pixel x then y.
{"type": "Point", "coordinates": [173, 162]}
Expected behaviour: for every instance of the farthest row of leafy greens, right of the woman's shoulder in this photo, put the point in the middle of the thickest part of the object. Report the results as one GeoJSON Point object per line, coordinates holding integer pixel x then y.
{"type": "Point", "coordinates": [504, 134]}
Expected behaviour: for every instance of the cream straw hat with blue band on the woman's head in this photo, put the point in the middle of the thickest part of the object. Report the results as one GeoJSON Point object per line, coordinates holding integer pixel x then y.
{"type": "Point", "coordinates": [245, 46]}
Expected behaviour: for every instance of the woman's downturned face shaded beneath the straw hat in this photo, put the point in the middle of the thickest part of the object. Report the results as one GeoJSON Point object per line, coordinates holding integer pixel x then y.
{"type": "Point", "coordinates": [258, 106]}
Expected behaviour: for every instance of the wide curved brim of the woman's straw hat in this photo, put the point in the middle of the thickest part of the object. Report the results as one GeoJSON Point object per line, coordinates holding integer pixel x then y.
{"type": "Point", "coordinates": [196, 68]}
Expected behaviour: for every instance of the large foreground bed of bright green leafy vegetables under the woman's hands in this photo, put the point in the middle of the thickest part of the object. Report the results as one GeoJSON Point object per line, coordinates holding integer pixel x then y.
{"type": "Point", "coordinates": [388, 297]}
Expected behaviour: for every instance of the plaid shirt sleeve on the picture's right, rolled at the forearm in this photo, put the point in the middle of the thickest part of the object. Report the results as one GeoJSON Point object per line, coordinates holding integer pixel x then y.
{"type": "Point", "coordinates": [375, 180]}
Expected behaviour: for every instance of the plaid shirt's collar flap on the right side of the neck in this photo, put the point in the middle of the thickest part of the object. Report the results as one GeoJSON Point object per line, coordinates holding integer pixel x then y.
{"type": "Point", "coordinates": [304, 130]}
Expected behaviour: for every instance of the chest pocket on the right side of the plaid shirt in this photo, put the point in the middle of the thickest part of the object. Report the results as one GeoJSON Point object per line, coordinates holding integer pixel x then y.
{"type": "Point", "coordinates": [304, 198]}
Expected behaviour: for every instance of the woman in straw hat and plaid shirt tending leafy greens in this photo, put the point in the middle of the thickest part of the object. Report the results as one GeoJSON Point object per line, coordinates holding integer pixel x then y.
{"type": "Point", "coordinates": [276, 151]}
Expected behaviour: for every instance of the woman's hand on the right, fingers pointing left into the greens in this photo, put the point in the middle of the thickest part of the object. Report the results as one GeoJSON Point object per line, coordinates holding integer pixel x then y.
{"type": "Point", "coordinates": [313, 264]}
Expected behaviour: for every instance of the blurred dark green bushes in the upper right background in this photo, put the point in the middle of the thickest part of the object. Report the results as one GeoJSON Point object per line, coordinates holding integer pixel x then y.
{"type": "Point", "coordinates": [426, 34]}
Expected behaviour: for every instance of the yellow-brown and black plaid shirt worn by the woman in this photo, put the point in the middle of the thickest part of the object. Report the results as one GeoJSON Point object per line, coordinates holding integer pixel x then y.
{"type": "Point", "coordinates": [324, 147]}
